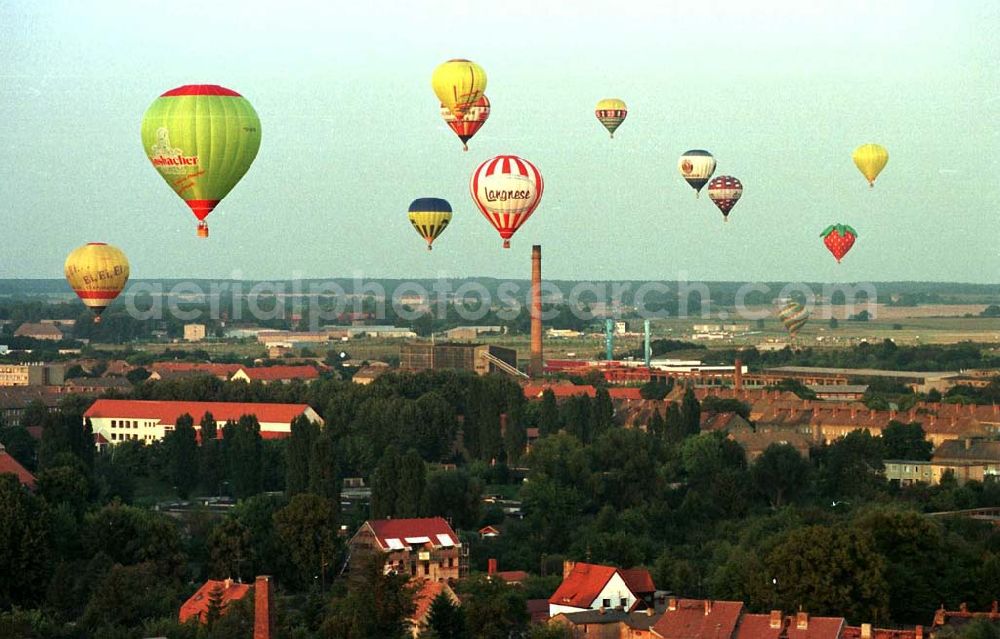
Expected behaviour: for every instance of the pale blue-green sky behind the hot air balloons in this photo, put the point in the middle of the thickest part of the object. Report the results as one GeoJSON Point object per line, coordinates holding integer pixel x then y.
{"type": "Point", "coordinates": [780, 91]}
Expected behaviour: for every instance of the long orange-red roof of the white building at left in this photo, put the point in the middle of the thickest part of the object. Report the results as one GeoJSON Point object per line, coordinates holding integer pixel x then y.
{"type": "Point", "coordinates": [168, 412]}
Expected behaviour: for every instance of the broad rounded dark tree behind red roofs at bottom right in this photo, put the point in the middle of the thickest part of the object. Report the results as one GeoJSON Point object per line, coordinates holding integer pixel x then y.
{"type": "Point", "coordinates": [830, 571]}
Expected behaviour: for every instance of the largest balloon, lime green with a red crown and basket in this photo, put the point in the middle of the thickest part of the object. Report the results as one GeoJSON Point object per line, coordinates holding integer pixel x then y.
{"type": "Point", "coordinates": [201, 139]}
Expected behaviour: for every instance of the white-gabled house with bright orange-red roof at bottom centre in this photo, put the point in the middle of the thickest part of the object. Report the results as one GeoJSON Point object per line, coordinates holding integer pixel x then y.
{"type": "Point", "coordinates": [593, 587]}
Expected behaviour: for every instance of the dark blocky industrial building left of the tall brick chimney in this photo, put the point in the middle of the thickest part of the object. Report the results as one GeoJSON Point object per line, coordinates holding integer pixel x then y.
{"type": "Point", "coordinates": [480, 358]}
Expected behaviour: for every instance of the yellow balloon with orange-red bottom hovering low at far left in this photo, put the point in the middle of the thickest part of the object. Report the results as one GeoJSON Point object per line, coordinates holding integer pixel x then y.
{"type": "Point", "coordinates": [97, 273]}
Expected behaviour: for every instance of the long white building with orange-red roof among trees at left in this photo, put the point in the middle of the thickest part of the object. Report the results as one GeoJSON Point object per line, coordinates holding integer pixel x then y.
{"type": "Point", "coordinates": [118, 420]}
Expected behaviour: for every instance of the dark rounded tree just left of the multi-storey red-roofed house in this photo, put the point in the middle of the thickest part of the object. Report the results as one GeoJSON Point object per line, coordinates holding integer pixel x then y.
{"type": "Point", "coordinates": [308, 528]}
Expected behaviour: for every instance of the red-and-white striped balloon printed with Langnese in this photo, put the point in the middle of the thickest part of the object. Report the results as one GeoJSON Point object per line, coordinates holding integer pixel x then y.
{"type": "Point", "coordinates": [507, 190]}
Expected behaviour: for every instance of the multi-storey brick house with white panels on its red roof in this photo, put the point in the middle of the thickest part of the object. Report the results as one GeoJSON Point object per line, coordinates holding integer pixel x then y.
{"type": "Point", "coordinates": [425, 547]}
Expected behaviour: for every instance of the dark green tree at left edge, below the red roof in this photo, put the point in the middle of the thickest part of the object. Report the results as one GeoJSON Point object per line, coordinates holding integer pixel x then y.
{"type": "Point", "coordinates": [24, 537]}
